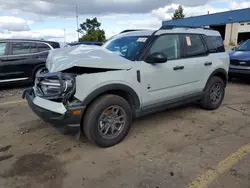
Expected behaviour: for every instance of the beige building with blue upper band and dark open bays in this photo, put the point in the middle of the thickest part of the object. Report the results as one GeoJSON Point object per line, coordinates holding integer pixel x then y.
{"type": "Point", "coordinates": [234, 26]}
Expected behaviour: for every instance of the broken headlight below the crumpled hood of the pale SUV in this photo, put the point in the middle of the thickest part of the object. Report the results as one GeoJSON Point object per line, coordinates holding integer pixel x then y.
{"type": "Point", "coordinates": [55, 85]}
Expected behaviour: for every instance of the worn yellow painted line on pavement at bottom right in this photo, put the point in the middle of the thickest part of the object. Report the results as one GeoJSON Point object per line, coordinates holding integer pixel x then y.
{"type": "Point", "coordinates": [209, 176]}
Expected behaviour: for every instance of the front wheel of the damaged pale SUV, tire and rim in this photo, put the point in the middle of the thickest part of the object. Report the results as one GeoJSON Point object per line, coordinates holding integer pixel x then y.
{"type": "Point", "coordinates": [107, 120]}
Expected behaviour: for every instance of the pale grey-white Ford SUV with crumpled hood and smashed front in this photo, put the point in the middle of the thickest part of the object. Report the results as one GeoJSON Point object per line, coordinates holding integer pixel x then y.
{"type": "Point", "coordinates": [100, 90]}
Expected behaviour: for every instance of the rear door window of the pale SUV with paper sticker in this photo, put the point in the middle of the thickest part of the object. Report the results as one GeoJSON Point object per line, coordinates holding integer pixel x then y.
{"type": "Point", "coordinates": [193, 46]}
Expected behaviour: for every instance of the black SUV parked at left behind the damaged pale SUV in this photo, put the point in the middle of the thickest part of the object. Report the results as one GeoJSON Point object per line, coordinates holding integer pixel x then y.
{"type": "Point", "coordinates": [21, 59]}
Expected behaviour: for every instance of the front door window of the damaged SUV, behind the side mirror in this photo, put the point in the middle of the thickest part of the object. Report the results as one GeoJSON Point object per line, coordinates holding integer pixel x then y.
{"type": "Point", "coordinates": [167, 44]}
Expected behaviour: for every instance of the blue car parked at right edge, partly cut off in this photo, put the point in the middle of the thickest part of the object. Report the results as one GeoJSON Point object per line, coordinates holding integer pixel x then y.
{"type": "Point", "coordinates": [240, 61]}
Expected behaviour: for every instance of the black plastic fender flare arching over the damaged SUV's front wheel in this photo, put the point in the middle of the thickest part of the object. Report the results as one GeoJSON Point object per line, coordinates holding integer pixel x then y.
{"type": "Point", "coordinates": [112, 87]}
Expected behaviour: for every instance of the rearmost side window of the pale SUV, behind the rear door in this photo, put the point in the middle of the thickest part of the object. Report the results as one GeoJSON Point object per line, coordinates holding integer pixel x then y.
{"type": "Point", "coordinates": [214, 44]}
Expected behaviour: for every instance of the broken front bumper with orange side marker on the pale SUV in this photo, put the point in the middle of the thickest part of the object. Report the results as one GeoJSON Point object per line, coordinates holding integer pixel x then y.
{"type": "Point", "coordinates": [54, 112]}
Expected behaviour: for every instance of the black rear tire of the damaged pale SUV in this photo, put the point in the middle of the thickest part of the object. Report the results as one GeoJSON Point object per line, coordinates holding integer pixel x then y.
{"type": "Point", "coordinates": [206, 102]}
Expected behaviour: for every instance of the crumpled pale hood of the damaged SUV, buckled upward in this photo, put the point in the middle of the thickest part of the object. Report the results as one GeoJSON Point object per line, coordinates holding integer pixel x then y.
{"type": "Point", "coordinates": [85, 56]}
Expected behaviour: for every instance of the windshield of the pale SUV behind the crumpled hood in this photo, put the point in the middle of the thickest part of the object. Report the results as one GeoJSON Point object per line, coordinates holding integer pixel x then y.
{"type": "Point", "coordinates": [127, 47]}
